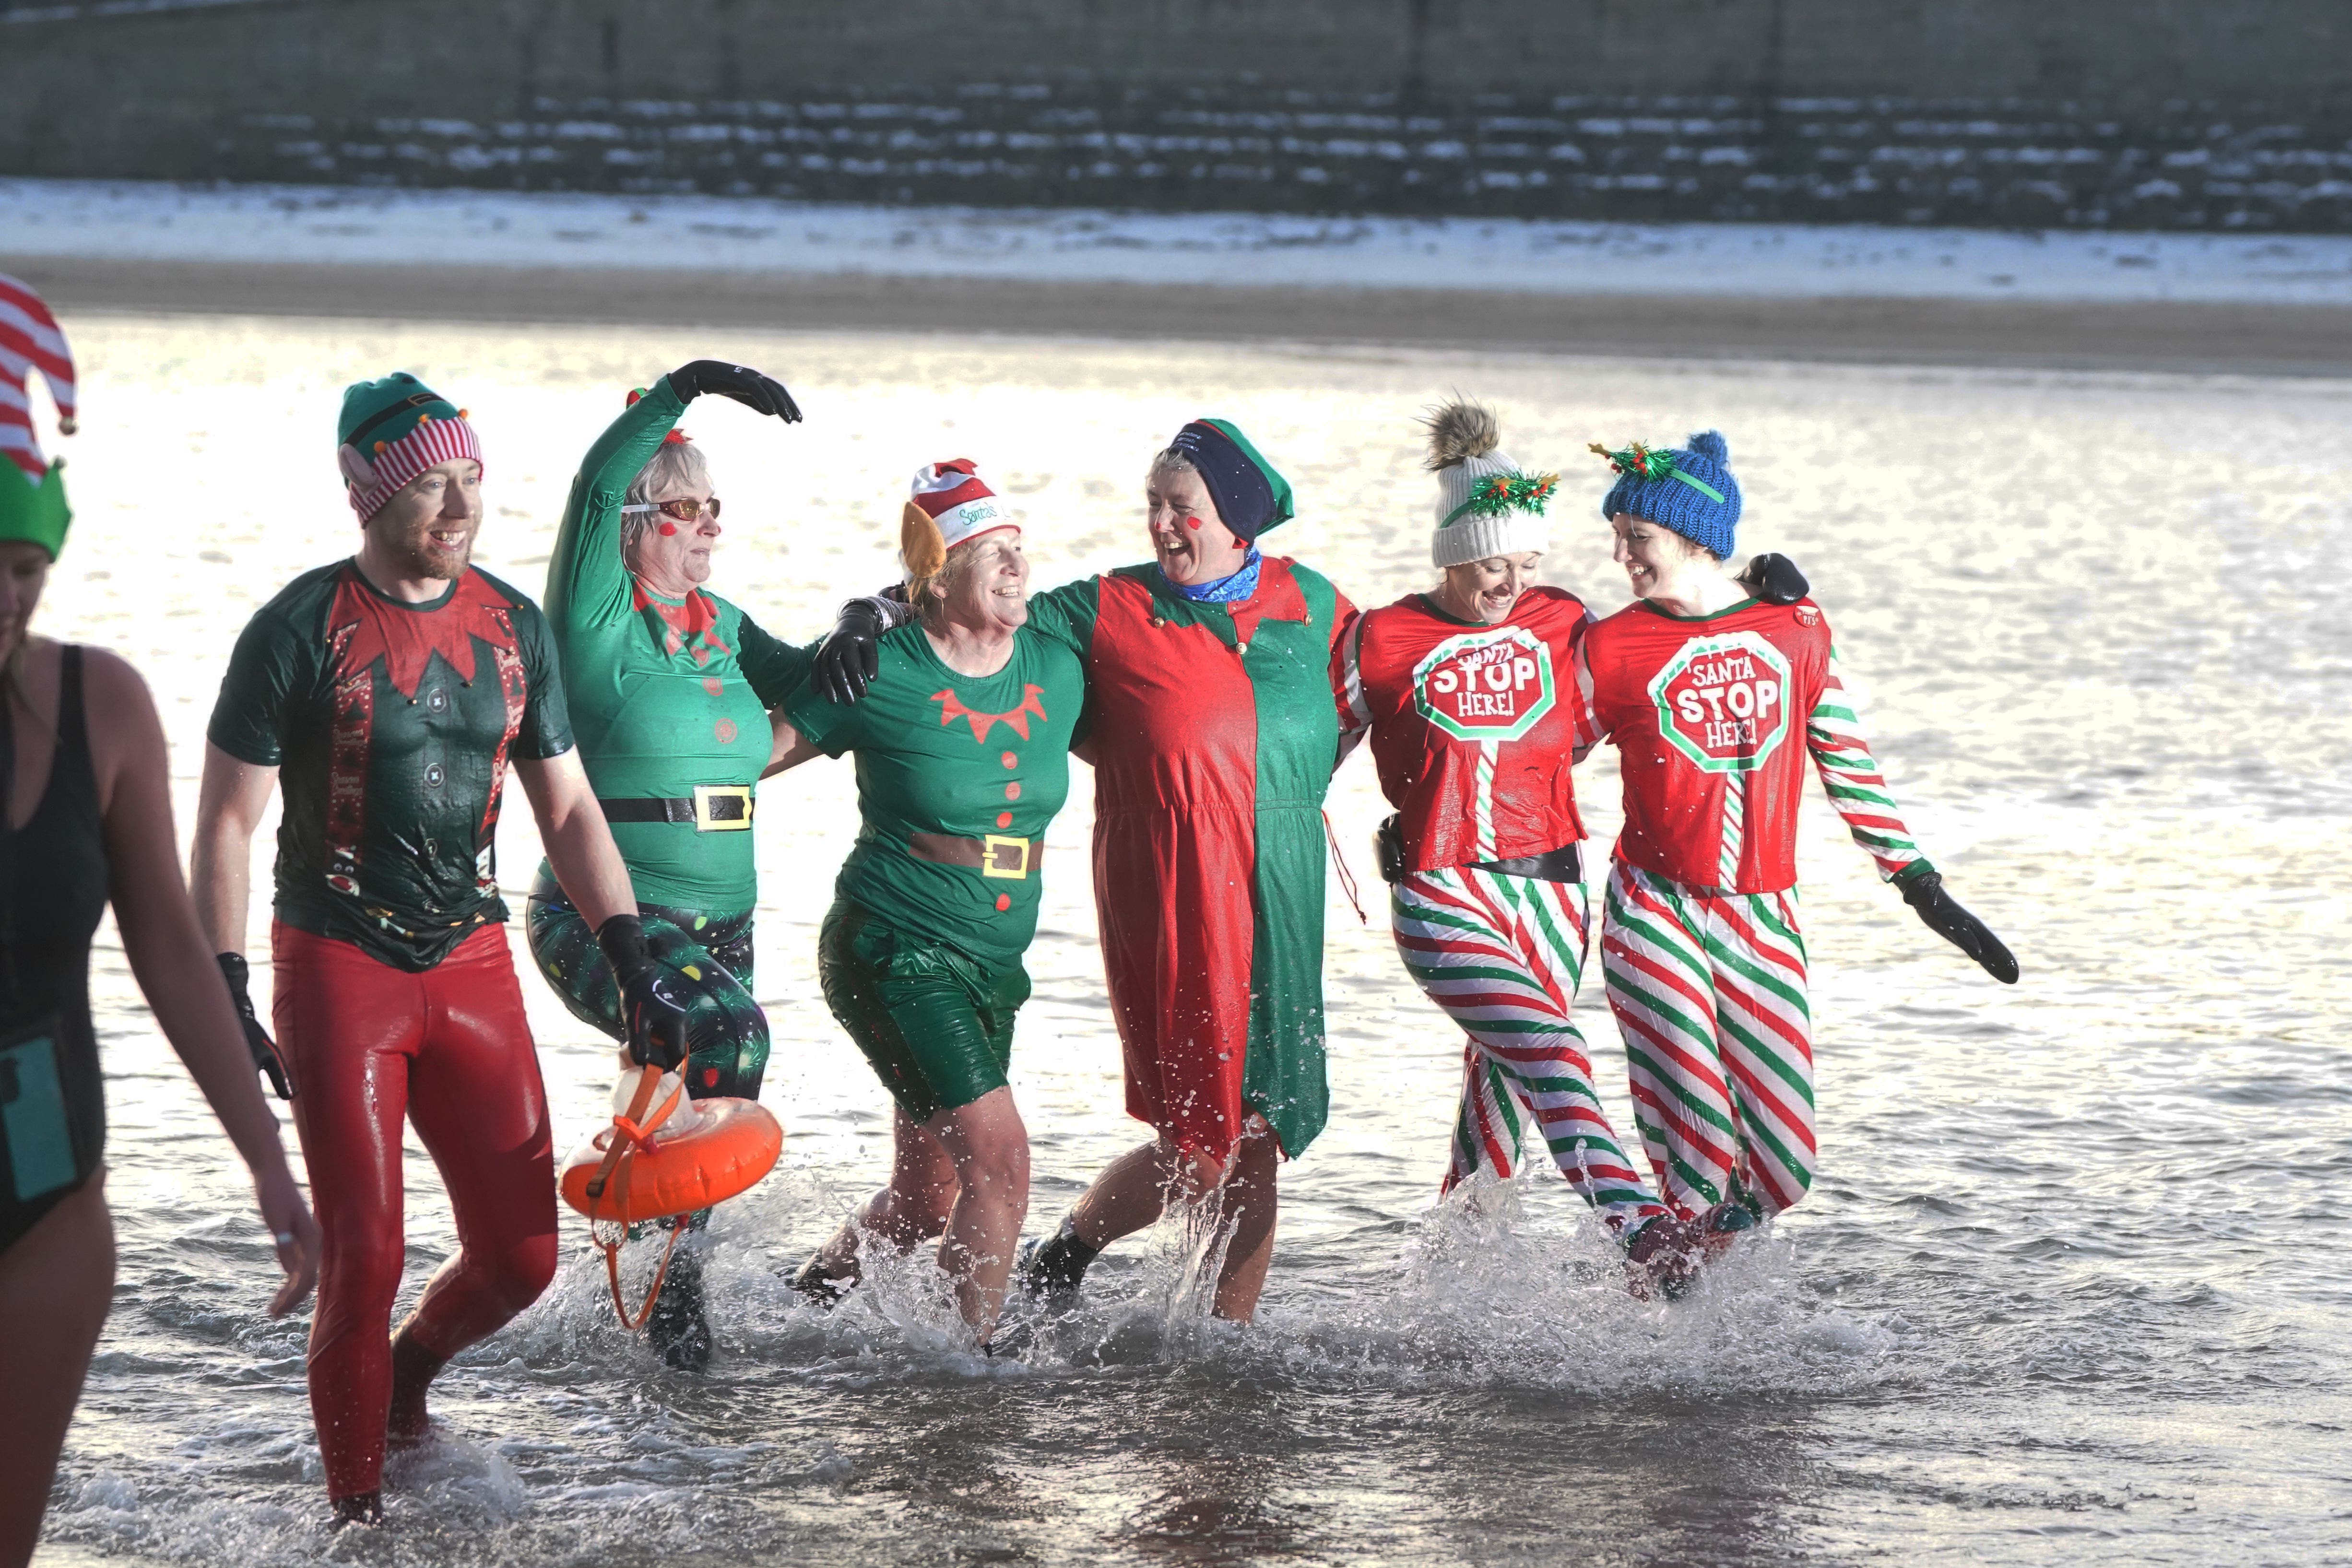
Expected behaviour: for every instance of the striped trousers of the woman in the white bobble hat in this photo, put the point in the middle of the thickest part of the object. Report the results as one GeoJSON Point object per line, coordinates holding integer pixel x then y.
{"type": "Point", "coordinates": [1504, 958]}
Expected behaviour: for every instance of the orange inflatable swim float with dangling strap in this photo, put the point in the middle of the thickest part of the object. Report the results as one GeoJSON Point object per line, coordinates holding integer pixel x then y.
{"type": "Point", "coordinates": [632, 1174]}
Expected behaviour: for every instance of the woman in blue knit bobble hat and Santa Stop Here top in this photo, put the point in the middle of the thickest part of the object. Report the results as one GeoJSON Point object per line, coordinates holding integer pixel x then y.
{"type": "Point", "coordinates": [1704, 690]}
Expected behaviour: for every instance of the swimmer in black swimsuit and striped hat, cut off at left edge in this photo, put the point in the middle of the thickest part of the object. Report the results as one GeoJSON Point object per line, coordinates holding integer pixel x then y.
{"type": "Point", "coordinates": [86, 817]}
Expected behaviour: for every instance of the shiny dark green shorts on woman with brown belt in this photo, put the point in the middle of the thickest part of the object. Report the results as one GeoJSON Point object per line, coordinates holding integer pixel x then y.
{"type": "Point", "coordinates": [935, 1024]}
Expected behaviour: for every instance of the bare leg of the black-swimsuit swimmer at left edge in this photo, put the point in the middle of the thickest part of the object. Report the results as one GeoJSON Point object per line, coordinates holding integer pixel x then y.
{"type": "Point", "coordinates": [55, 1287]}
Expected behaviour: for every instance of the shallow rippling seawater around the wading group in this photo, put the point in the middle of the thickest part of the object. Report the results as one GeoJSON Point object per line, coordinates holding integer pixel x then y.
{"type": "Point", "coordinates": [2078, 1273]}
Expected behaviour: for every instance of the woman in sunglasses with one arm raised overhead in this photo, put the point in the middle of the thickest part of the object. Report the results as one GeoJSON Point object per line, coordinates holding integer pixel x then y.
{"type": "Point", "coordinates": [669, 695]}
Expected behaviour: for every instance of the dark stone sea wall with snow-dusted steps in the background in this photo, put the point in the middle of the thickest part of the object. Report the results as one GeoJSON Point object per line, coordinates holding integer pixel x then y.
{"type": "Point", "coordinates": [2146, 114]}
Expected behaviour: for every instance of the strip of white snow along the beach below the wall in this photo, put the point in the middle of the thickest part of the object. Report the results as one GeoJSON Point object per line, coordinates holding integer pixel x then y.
{"type": "Point", "coordinates": [323, 225]}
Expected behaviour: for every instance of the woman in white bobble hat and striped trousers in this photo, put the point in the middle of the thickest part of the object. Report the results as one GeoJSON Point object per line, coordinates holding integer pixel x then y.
{"type": "Point", "coordinates": [1469, 695]}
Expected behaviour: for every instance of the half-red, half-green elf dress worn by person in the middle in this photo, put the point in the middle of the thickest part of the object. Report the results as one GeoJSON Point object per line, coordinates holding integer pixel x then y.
{"type": "Point", "coordinates": [1212, 735]}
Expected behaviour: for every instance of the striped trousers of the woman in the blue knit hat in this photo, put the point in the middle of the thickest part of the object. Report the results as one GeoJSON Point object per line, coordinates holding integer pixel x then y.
{"type": "Point", "coordinates": [1709, 993]}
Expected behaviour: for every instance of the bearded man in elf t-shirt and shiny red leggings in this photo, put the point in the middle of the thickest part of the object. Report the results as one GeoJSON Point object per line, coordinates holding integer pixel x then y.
{"type": "Point", "coordinates": [389, 692]}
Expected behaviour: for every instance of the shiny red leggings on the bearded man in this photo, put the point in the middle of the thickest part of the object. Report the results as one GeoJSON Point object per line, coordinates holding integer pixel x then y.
{"type": "Point", "coordinates": [453, 1052]}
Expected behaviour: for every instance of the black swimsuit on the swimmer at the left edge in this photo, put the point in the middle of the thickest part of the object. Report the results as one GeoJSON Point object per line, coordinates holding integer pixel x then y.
{"type": "Point", "coordinates": [53, 890]}
